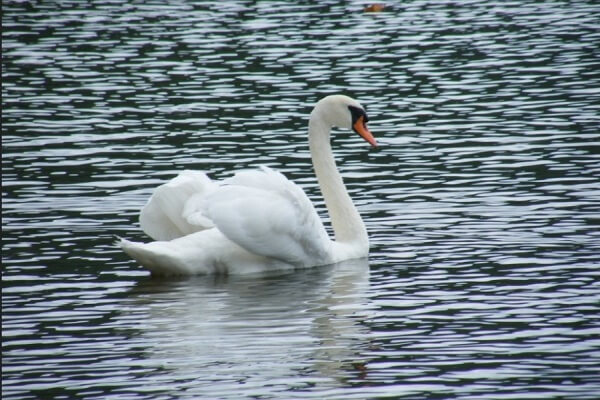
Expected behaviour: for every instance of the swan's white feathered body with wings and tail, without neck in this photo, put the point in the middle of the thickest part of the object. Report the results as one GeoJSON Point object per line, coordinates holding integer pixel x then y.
{"type": "Point", "coordinates": [258, 220]}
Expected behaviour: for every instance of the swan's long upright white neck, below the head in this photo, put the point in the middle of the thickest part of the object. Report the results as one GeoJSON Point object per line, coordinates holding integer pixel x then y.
{"type": "Point", "coordinates": [345, 219]}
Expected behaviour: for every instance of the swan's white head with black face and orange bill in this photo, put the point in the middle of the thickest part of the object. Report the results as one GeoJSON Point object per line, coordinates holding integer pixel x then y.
{"type": "Point", "coordinates": [344, 112]}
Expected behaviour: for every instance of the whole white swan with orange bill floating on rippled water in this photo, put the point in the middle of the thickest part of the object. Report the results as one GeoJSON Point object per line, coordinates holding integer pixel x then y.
{"type": "Point", "coordinates": [256, 221]}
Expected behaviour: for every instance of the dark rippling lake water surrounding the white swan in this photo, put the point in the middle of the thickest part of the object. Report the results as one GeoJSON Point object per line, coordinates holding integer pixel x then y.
{"type": "Point", "coordinates": [482, 201]}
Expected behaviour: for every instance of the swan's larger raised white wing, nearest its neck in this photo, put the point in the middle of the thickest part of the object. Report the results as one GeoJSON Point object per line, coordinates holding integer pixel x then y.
{"type": "Point", "coordinates": [266, 214]}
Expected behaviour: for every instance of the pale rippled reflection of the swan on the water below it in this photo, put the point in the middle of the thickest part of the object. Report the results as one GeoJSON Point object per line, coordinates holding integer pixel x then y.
{"type": "Point", "coordinates": [290, 330]}
